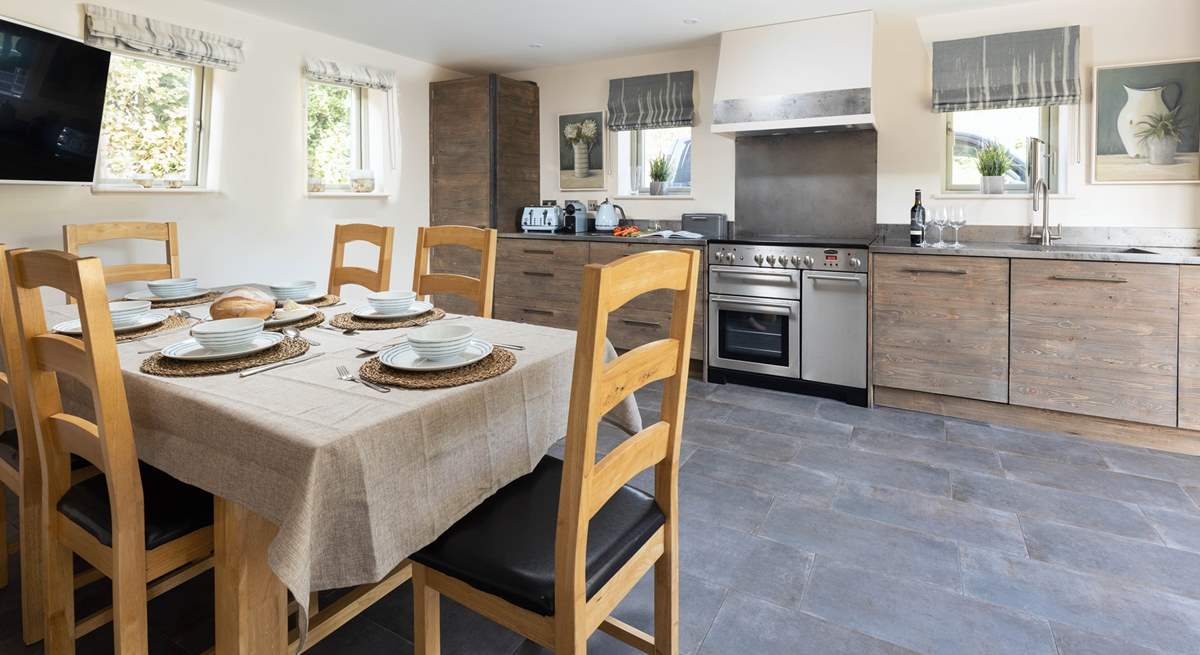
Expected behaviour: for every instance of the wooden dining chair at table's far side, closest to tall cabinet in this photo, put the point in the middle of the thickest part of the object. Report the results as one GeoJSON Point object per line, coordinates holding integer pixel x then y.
{"type": "Point", "coordinates": [479, 290]}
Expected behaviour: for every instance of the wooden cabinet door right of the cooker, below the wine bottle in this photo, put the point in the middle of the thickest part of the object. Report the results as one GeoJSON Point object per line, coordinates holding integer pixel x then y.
{"type": "Point", "coordinates": [941, 325]}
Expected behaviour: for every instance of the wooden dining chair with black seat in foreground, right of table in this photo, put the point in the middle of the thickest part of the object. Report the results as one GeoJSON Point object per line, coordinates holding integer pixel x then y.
{"type": "Point", "coordinates": [551, 555]}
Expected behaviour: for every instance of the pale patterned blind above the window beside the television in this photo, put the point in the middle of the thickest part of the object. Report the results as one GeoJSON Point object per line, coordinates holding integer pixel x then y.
{"type": "Point", "coordinates": [117, 31]}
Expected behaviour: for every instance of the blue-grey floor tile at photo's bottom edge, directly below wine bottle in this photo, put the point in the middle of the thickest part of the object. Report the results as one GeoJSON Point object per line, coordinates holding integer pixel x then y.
{"type": "Point", "coordinates": [921, 617]}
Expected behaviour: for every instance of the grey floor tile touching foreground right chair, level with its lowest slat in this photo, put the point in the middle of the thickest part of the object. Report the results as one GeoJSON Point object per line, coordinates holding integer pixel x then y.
{"type": "Point", "coordinates": [779, 480]}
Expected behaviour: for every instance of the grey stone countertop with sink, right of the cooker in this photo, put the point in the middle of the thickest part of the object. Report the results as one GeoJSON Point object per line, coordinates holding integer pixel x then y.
{"type": "Point", "coordinates": [1141, 255]}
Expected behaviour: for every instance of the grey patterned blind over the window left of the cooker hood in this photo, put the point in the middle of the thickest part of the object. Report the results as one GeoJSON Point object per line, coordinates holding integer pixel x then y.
{"type": "Point", "coordinates": [647, 103]}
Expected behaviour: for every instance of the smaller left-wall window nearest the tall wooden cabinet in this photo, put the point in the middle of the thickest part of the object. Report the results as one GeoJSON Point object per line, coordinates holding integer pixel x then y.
{"type": "Point", "coordinates": [337, 133]}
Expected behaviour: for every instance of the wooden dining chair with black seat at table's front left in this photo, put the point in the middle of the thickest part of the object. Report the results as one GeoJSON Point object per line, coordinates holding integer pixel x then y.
{"type": "Point", "coordinates": [135, 524]}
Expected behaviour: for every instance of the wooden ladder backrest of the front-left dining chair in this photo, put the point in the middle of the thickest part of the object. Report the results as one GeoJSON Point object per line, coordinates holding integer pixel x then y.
{"type": "Point", "coordinates": [93, 362]}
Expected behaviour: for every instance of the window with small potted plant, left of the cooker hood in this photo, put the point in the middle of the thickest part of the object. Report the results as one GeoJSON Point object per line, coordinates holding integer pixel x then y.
{"type": "Point", "coordinates": [638, 148]}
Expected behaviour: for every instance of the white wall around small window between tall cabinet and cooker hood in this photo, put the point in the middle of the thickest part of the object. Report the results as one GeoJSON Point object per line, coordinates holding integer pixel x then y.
{"type": "Point", "coordinates": [585, 88]}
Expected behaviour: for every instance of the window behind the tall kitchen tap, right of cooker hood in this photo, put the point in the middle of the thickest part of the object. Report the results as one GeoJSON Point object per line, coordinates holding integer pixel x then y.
{"type": "Point", "coordinates": [967, 133]}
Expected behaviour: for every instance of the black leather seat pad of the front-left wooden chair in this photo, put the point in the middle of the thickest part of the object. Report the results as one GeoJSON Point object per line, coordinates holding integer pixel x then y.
{"type": "Point", "coordinates": [172, 508]}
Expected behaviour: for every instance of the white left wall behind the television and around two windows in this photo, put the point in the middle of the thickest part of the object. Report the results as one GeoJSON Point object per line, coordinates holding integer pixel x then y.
{"type": "Point", "coordinates": [260, 226]}
